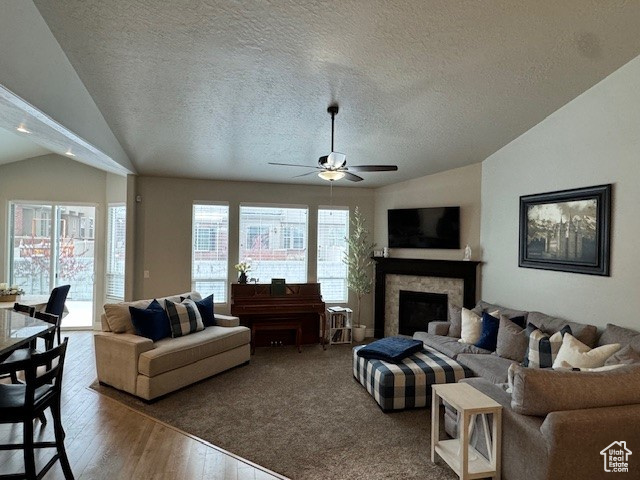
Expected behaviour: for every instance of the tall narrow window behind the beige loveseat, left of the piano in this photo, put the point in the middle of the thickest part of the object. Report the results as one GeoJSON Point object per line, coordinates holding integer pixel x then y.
{"type": "Point", "coordinates": [210, 255]}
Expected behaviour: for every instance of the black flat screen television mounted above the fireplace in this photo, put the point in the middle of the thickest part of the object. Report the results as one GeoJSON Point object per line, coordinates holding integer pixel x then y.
{"type": "Point", "coordinates": [437, 227]}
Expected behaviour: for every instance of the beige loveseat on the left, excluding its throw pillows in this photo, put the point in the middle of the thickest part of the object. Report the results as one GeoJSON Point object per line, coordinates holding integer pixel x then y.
{"type": "Point", "coordinates": [150, 369]}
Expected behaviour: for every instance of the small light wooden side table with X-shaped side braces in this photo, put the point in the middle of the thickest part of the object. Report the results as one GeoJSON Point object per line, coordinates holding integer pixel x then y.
{"type": "Point", "coordinates": [468, 402]}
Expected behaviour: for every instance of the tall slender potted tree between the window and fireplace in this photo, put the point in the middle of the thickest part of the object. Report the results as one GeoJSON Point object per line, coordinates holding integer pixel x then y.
{"type": "Point", "coordinates": [358, 261]}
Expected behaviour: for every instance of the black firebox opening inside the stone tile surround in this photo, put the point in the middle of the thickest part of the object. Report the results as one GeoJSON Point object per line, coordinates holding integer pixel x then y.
{"type": "Point", "coordinates": [417, 309]}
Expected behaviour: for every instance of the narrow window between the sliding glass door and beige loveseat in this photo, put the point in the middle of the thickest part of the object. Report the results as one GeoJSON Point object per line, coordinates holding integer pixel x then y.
{"type": "Point", "coordinates": [116, 240]}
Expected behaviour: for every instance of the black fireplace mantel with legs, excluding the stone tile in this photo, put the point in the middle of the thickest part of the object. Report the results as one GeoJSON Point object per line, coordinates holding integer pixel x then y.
{"type": "Point", "coordinates": [466, 270]}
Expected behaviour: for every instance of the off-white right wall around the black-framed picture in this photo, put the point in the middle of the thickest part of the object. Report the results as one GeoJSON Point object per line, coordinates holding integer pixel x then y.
{"type": "Point", "coordinates": [595, 139]}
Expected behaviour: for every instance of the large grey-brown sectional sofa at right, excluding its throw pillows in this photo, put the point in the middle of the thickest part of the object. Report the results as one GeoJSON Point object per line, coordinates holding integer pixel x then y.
{"type": "Point", "coordinates": [555, 423]}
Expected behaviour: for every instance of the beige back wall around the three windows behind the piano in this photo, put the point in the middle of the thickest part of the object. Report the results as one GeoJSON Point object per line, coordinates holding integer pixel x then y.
{"type": "Point", "coordinates": [163, 226]}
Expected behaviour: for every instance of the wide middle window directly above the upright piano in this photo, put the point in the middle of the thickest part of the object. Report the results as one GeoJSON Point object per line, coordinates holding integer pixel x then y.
{"type": "Point", "coordinates": [274, 241]}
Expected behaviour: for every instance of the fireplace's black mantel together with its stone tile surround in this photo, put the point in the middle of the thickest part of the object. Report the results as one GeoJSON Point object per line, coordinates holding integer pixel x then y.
{"type": "Point", "coordinates": [457, 279]}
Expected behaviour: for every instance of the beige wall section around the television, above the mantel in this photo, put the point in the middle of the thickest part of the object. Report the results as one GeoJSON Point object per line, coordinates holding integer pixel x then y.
{"type": "Point", "coordinates": [457, 187]}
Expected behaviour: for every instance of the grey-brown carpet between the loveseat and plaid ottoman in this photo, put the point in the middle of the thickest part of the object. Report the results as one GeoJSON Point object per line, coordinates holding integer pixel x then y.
{"type": "Point", "coordinates": [302, 415]}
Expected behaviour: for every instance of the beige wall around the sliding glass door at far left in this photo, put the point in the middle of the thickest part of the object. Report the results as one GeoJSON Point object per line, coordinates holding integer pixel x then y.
{"type": "Point", "coordinates": [53, 178]}
